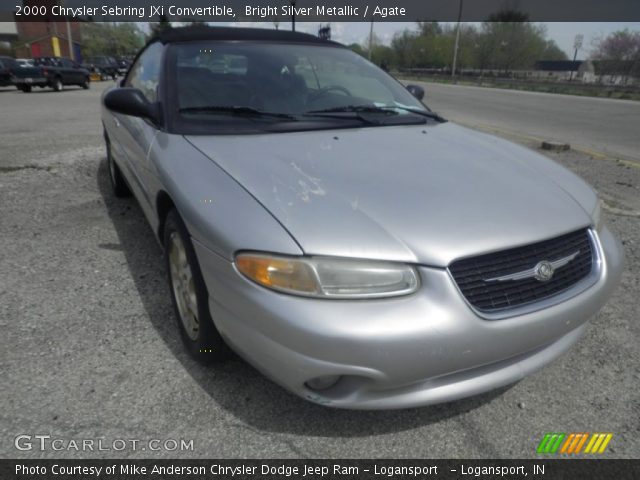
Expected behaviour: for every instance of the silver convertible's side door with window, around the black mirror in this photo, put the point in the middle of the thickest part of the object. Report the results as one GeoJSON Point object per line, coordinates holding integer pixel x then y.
{"type": "Point", "coordinates": [136, 134]}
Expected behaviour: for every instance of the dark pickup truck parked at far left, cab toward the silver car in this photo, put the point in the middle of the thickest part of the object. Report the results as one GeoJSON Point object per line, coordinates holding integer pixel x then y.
{"type": "Point", "coordinates": [52, 72]}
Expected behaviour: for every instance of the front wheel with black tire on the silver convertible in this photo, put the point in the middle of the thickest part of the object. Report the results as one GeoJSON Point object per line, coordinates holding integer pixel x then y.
{"type": "Point", "coordinates": [189, 294]}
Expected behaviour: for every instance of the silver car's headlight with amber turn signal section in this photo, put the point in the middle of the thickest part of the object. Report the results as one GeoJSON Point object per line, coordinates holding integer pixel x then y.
{"type": "Point", "coordinates": [328, 277]}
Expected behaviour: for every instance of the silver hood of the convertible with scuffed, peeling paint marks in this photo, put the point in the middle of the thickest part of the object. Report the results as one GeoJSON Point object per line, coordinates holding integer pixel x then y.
{"type": "Point", "coordinates": [423, 194]}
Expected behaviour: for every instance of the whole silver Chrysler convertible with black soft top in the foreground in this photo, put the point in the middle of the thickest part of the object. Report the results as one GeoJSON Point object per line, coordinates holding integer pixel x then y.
{"type": "Point", "coordinates": [344, 239]}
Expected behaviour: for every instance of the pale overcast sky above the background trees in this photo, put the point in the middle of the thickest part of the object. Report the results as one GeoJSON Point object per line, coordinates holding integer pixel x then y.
{"type": "Point", "coordinates": [358, 32]}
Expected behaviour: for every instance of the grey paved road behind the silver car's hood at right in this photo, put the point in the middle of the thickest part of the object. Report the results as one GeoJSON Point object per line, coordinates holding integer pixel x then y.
{"type": "Point", "coordinates": [608, 126]}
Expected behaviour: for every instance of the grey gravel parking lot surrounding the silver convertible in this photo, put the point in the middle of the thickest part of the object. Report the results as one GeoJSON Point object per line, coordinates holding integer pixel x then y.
{"type": "Point", "coordinates": [91, 350]}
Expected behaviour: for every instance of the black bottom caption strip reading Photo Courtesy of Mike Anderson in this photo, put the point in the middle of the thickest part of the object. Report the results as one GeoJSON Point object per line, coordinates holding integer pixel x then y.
{"type": "Point", "coordinates": [319, 469]}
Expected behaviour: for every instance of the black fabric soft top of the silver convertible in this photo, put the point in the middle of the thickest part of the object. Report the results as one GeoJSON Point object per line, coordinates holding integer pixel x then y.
{"type": "Point", "coordinates": [202, 32]}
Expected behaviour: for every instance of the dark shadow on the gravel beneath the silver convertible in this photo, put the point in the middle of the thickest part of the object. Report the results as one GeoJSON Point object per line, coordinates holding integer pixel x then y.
{"type": "Point", "coordinates": [234, 385]}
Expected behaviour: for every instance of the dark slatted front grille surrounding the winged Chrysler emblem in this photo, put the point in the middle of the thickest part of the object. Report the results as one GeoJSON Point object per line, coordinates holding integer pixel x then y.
{"type": "Point", "coordinates": [471, 274]}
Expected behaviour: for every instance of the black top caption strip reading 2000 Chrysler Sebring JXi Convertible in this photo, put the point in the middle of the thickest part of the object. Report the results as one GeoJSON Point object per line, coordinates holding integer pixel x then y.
{"type": "Point", "coordinates": [322, 10]}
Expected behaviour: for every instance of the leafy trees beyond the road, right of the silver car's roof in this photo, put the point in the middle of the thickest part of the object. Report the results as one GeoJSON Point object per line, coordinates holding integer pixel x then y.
{"type": "Point", "coordinates": [495, 45]}
